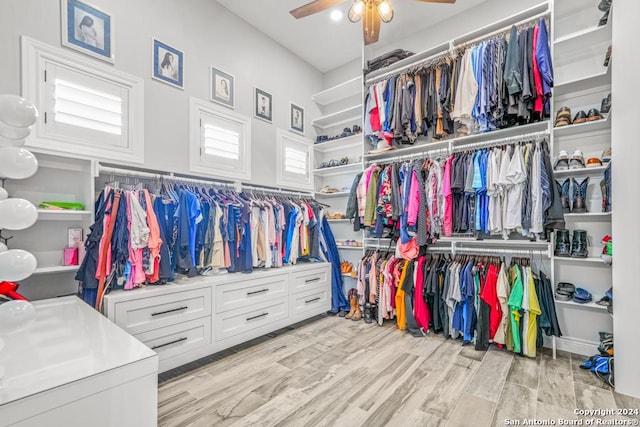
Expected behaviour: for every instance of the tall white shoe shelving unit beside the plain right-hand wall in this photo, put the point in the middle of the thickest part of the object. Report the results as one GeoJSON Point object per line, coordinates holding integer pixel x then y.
{"type": "Point", "coordinates": [581, 82]}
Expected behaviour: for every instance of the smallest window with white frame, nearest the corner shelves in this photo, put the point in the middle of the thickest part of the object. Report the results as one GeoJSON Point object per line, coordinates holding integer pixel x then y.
{"type": "Point", "coordinates": [294, 161]}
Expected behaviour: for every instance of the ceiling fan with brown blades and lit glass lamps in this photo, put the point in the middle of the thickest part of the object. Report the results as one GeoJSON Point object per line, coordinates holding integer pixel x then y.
{"type": "Point", "coordinates": [370, 11]}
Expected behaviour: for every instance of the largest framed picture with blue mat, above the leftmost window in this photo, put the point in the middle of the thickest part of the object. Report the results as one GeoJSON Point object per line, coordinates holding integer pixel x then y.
{"type": "Point", "coordinates": [87, 29]}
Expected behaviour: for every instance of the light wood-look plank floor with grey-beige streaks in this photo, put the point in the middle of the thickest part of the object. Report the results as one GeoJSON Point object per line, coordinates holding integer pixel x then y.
{"type": "Point", "coordinates": [344, 373]}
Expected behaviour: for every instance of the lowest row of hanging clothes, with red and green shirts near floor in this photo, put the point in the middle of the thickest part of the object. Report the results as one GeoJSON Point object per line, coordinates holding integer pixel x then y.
{"type": "Point", "coordinates": [475, 298]}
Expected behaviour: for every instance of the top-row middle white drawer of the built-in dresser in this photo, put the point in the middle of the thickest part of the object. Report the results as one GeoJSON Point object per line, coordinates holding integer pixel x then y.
{"type": "Point", "coordinates": [255, 291]}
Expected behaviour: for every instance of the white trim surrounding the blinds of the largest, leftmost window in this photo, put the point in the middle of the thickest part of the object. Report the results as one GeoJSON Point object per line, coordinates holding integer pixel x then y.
{"type": "Point", "coordinates": [34, 57]}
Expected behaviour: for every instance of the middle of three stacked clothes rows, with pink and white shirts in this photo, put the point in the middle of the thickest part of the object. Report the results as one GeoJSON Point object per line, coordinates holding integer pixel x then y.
{"type": "Point", "coordinates": [494, 191]}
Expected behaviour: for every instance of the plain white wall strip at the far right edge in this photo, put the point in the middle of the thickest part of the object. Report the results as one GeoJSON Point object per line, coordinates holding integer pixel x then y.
{"type": "Point", "coordinates": [626, 197]}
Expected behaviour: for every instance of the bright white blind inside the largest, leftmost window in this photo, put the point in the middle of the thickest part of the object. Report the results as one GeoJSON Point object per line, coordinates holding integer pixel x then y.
{"type": "Point", "coordinates": [85, 107]}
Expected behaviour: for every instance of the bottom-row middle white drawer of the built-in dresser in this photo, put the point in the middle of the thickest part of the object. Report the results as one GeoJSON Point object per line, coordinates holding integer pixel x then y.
{"type": "Point", "coordinates": [232, 323]}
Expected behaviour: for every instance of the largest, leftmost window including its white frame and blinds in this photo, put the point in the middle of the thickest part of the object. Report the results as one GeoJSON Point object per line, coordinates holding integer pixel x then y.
{"type": "Point", "coordinates": [87, 109]}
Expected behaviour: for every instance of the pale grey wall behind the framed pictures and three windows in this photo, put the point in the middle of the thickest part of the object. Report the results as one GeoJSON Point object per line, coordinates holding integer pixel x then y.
{"type": "Point", "coordinates": [208, 34]}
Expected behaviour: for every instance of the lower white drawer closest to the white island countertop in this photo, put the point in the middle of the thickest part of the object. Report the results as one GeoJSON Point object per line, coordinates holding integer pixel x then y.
{"type": "Point", "coordinates": [179, 338]}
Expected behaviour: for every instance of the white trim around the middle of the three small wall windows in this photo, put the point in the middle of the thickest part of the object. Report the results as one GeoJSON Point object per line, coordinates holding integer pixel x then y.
{"type": "Point", "coordinates": [198, 107]}
